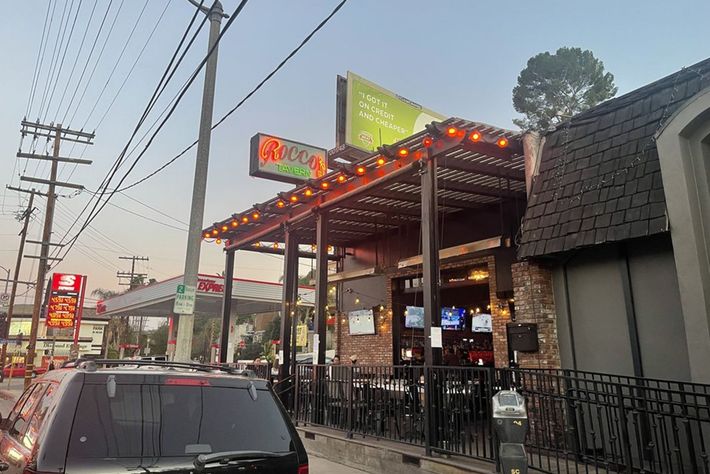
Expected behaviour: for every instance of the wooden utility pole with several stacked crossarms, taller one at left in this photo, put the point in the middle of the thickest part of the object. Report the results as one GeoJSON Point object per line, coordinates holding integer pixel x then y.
{"type": "Point", "coordinates": [59, 134]}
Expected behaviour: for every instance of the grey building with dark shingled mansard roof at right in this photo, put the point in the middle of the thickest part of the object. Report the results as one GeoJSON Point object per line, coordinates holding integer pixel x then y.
{"type": "Point", "coordinates": [617, 225]}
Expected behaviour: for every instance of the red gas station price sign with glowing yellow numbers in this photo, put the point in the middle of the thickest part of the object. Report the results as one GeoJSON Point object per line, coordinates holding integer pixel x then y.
{"type": "Point", "coordinates": [65, 299]}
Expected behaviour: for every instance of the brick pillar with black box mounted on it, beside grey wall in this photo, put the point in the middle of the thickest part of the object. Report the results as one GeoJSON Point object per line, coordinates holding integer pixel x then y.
{"type": "Point", "coordinates": [534, 303]}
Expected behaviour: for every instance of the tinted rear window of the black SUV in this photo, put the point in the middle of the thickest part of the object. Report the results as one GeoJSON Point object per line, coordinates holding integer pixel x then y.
{"type": "Point", "coordinates": [171, 420]}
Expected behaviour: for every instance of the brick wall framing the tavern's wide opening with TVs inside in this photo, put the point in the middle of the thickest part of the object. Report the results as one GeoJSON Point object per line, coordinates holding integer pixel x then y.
{"type": "Point", "coordinates": [377, 349]}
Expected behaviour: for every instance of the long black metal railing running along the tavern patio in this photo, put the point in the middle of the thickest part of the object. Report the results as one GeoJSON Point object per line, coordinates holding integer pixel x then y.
{"type": "Point", "coordinates": [579, 421]}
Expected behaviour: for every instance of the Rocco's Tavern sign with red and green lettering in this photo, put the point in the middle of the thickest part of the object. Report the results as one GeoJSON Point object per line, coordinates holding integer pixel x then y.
{"type": "Point", "coordinates": [284, 160]}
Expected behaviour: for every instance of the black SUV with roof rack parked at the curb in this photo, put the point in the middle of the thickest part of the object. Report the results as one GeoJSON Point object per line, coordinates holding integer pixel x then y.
{"type": "Point", "coordinates": [149, 417]}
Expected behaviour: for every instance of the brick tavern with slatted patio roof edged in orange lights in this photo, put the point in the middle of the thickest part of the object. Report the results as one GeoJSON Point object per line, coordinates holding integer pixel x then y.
{"type": "Point", "coordinates": [423, 232]}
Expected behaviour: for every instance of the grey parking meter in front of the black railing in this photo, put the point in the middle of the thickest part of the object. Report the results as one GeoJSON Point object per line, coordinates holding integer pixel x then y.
{"type": "Point", "coordinates": [510, 421]}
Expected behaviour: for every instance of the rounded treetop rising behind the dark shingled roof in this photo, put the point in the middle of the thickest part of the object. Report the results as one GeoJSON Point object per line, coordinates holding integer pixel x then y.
{"type": "Point", "coordinates": [554, 87]}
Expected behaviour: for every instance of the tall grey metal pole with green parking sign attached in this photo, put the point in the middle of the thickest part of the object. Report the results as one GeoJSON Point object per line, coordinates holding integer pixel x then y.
{"type": "Point", "coordinates": [194, 241]}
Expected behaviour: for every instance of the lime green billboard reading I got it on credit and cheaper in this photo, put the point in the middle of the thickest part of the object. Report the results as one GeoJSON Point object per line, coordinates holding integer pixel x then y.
{"type": "Point", "coordinates": [375, 116]}
